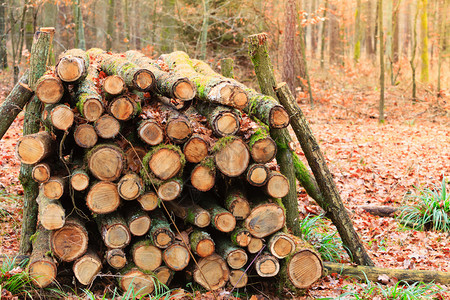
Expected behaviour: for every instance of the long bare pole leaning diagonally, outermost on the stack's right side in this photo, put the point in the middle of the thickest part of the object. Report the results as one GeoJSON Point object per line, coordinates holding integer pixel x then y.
{"type": "Point", "coordinates": [332, 203]}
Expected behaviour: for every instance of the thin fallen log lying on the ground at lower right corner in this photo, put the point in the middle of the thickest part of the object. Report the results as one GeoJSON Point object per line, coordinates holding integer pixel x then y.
{"type": "Point", "coordinates": [372, 273]}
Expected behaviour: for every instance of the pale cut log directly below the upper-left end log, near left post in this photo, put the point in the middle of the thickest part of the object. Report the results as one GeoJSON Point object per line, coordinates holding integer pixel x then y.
{"type": "Point", "coordinates": [58, 116]}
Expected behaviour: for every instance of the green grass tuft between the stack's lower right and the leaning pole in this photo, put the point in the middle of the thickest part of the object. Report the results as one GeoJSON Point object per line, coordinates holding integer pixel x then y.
{"type": "Point", "coordinates": [316, 231]}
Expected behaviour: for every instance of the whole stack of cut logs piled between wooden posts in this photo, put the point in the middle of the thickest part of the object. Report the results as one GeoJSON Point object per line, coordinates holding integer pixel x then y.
{"type": "Point", "coordinates": [150, 167]}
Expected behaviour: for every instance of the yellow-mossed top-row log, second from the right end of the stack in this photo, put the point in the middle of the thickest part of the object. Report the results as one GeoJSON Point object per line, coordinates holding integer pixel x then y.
{"type": "Point", "coordinates": [216, 90]}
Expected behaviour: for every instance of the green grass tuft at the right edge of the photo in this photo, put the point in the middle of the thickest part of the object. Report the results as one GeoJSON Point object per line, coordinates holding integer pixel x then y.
{"type": "Point", "coordinates": [431, 209]}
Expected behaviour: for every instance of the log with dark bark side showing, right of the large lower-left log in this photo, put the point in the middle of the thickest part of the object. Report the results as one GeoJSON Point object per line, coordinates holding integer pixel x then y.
{"type": "Point", "coordinates": [114, 230]}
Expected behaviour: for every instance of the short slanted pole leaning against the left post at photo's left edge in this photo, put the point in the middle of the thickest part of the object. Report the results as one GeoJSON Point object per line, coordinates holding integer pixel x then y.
{"type": "Point", "coordinates": [20, 95]}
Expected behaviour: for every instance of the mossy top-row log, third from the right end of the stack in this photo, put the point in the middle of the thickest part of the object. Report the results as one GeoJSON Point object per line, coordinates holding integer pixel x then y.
{"type": "Point", "coordinates": [168, 84]}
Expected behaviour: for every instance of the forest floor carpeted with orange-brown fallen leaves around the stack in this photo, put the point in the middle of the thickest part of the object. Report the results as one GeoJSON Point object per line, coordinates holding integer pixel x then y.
{"type": "Point", "coordinates": [371, 163]}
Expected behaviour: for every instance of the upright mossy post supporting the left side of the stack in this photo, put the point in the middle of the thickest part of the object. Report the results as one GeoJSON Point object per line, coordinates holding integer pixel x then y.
{"type": "Point", "coordinates": [38, 60]}
